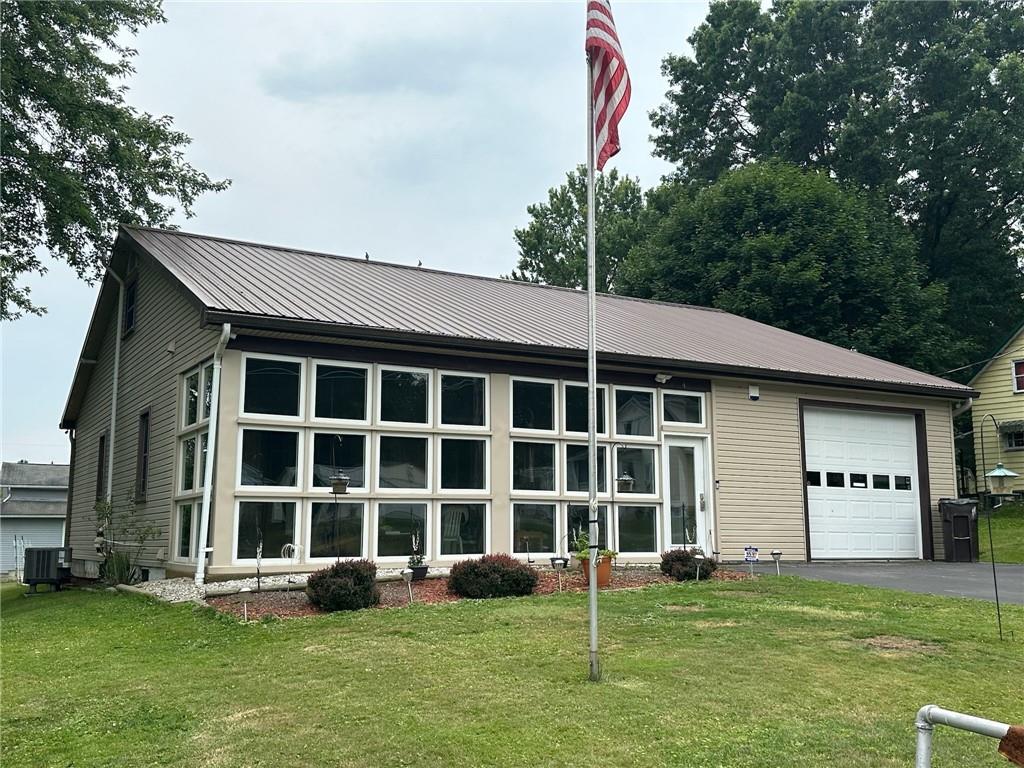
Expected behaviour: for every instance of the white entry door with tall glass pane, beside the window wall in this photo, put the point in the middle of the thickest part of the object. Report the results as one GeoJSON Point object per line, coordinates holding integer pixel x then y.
{"type": "Point", "coordinates": [687, 494]}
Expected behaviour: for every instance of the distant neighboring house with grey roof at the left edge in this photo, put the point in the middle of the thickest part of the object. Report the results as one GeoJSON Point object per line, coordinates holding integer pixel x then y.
{"type": "Point", "coordinates": [33, 509]}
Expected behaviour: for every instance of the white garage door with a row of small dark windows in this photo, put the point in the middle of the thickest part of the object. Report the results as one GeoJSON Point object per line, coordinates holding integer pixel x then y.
{"type": "Point", "coordinates": [862, 484]}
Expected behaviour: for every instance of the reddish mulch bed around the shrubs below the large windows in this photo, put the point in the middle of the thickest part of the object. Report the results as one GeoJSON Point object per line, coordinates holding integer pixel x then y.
{"type": "Point", "coordinates": [396, 594]}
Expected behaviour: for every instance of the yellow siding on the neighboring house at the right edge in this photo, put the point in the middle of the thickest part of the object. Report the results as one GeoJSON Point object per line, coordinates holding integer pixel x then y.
{"type": "Point", "coordinates": [998, 398]}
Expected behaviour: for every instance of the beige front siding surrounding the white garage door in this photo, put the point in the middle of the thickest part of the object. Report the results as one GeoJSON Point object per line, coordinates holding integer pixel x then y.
{"type": "Point", "coordinates": [758, 463]}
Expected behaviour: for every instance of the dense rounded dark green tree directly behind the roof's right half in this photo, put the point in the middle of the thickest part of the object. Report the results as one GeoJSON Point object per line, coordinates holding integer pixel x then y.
{"type": "Point", "coordinates": [794, 248]}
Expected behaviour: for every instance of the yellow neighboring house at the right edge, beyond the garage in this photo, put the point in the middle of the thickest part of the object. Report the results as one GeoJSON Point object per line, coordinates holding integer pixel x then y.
{"type": "Point", "coordinates": [1001, 388]}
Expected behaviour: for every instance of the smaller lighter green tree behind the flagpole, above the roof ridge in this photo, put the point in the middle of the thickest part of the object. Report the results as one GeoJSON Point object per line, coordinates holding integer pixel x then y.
{"type": "Point", "coordinates": [553, 245]}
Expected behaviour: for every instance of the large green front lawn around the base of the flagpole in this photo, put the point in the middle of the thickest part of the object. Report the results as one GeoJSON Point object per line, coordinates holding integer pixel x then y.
{"type": "Point", "coordinates": [777, 672]}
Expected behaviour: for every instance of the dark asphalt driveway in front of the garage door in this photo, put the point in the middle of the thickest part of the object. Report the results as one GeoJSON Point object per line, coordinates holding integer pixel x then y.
{"type": "Point", "coordinates": [954, 580]}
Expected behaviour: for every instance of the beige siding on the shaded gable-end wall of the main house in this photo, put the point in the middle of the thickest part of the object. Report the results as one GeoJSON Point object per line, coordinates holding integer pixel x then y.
{"type": "Point", "coordinates": [166, 343]}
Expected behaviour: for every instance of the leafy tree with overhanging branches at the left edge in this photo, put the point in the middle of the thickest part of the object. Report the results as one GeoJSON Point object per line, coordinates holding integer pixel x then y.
{"type": "Point", "coordinates": [77, 160]}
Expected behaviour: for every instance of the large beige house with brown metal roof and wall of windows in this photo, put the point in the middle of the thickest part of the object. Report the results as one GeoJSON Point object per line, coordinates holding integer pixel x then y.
{"type": "Point", "coordinates": [224, 385]}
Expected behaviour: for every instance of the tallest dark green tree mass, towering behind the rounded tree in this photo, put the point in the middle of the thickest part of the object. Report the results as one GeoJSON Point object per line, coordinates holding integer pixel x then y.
{"type": "Point", "coordinates": [921, 103]}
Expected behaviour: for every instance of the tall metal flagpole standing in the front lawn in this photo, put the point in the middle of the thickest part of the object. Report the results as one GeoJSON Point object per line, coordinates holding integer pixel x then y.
{"type": "Point", "coordinates": [595, 667]}
